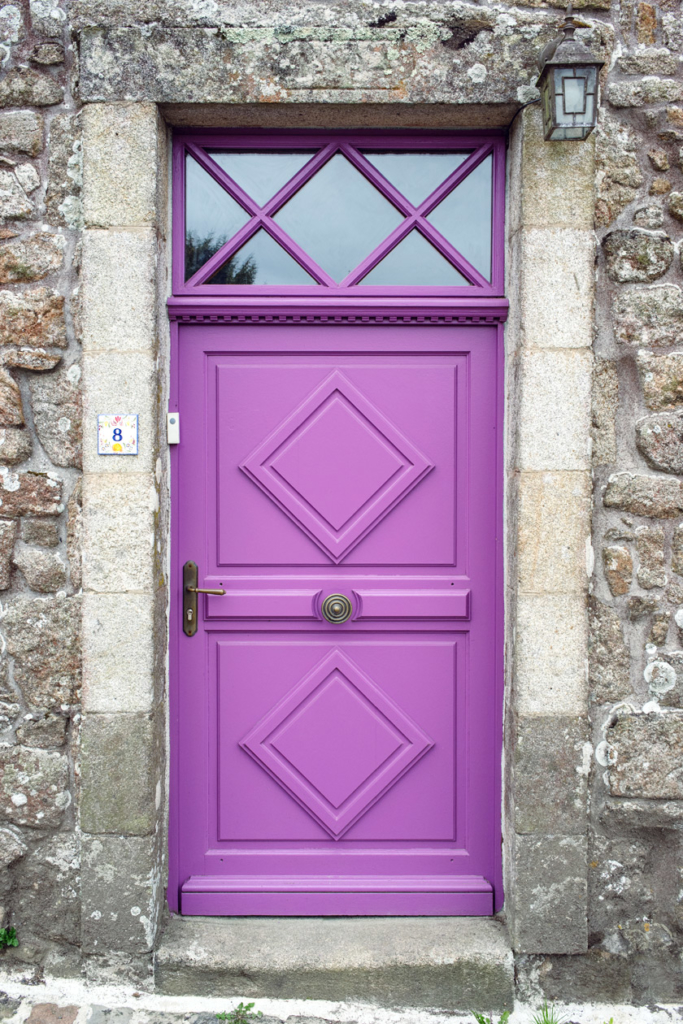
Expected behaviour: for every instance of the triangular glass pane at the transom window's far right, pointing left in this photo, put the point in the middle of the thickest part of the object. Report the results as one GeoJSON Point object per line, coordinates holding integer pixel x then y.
{"type": "Point", "coordinates": [464, 218]}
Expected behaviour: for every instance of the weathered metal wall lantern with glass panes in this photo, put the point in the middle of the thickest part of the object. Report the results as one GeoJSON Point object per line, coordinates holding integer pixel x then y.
{"type": "Point", "coordinates": [569, 84]}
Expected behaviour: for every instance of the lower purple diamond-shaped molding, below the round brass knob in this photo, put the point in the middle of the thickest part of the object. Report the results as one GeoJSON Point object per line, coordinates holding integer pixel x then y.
{"type": "Point", "coordinates": [336, 743]}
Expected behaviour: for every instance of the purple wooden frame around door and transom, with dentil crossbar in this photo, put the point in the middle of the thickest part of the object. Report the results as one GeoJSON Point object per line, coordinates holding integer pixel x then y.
{"type": "Point", "coordinates": [251, 305]}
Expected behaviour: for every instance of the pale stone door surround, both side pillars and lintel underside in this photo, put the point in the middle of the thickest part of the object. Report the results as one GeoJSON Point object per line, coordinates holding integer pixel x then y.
{"type": "Point", "coordinates": [551, 254]}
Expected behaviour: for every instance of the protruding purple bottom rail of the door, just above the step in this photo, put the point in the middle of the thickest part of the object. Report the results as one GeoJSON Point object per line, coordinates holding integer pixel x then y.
{"type": "Point", "coordinates": [346, 895]}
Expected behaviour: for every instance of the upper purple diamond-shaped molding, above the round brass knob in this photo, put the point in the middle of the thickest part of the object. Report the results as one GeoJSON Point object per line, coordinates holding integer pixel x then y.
{"type": "Point", "coordinates": [336, 466]}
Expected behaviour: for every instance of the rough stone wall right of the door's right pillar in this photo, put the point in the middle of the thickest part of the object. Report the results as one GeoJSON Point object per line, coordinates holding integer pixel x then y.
{"type": "Point", "coordinates": [635, 863]}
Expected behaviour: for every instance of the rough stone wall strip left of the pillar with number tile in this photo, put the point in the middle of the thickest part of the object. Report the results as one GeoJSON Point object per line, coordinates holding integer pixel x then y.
{"type": "Point", "coordinates": [40, 487]}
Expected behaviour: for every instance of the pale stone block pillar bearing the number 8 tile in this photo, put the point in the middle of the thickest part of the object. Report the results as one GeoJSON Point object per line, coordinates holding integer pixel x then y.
{"type": "Point", "coordinates": [124, 527]}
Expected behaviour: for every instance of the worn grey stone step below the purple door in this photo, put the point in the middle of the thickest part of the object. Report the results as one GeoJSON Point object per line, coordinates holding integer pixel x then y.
{"type": "Point", "coordinates": [445, 964]}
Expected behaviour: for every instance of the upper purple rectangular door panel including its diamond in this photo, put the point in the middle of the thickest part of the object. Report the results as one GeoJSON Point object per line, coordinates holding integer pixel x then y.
{"type": "Point", "coordinates": [326, 461]}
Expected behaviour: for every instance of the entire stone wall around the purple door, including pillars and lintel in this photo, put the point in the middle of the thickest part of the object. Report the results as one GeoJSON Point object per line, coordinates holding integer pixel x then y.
{"type": "Point", "coordinates": [608, 849]}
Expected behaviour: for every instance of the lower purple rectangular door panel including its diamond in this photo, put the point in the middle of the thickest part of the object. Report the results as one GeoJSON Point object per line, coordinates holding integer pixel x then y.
{"type": "Point", "coordinates": [346, 741]}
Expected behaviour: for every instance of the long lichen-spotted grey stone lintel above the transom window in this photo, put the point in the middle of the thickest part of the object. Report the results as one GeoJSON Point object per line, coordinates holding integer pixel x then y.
{"type": "Point", "coordinates": [316, 60]}
